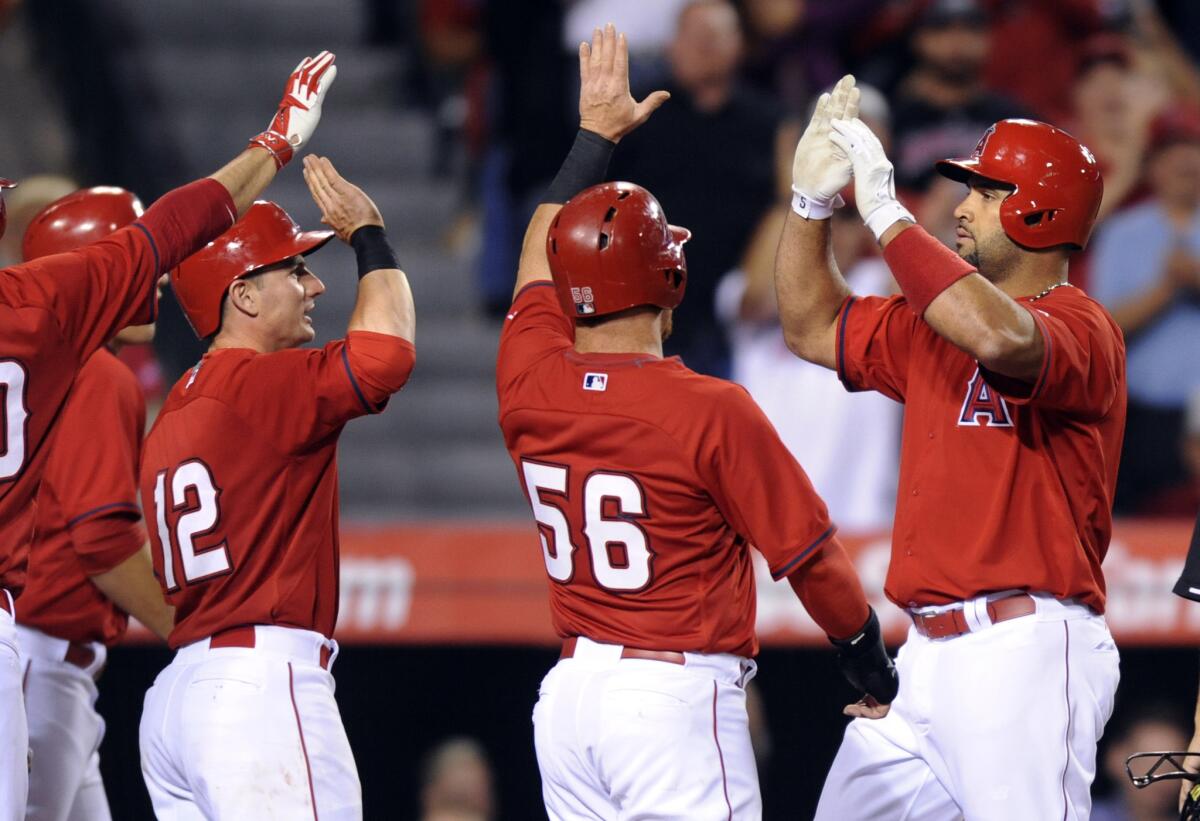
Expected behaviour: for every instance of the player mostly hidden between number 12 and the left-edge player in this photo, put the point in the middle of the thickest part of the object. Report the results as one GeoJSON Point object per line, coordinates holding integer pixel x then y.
{"type": "Point", "coordinates": [89, 564]}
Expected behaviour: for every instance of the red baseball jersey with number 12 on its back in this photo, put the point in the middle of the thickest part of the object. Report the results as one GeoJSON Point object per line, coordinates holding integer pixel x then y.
{"type": "Point", "coordinates": [239, 483]}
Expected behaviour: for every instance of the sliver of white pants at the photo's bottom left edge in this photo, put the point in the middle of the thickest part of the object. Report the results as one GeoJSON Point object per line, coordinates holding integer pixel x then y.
{"type": "Point", "coordinates": [14, 727]}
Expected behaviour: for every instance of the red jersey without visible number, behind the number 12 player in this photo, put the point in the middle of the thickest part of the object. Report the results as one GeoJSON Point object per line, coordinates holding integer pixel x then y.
{"type": "Point", "coordinates": [88, 517]}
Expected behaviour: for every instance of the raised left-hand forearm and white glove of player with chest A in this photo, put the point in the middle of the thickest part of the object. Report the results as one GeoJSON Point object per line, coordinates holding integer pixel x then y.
{"type": "Point", "coordinates": [808, 284]}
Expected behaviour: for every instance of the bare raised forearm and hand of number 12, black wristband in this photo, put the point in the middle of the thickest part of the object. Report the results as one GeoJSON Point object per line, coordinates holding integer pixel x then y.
{"type": "Point", "coordinates": [386, 302]}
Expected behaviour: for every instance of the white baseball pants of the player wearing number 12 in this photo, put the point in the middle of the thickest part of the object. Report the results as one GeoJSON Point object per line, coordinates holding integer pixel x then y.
{"type": "Point", "coordinates": [255, 734]}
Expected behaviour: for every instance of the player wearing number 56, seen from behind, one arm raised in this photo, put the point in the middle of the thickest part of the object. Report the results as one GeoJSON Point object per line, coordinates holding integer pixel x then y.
{"type": "Point", "coordinates": [650, 484]}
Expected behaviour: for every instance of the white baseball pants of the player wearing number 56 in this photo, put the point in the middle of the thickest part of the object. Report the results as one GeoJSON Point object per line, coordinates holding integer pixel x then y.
{"type": "Point", "coordinates": [632, 740]}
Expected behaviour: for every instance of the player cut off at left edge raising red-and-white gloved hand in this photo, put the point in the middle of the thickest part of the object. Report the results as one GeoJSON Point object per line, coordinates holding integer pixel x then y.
{"type": "Point", "coordinates": [57, 311]}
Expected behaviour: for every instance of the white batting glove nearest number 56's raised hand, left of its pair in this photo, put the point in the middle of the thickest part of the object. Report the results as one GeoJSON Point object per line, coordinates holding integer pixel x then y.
{"type": "Point", "coordinates": [820, 169]}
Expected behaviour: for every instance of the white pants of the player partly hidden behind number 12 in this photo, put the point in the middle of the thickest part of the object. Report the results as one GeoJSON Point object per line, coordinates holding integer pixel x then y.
{"type": "Point", "coordinates": [65, 732]}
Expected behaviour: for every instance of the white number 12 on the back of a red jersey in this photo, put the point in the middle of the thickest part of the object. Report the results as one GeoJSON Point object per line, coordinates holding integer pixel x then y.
{"type": "Point", "coordinates": [199, 518]}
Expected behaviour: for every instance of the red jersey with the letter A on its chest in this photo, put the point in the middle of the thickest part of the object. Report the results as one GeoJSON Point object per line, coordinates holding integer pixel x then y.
{"type": "Point", "coordinates": [1004, 486]}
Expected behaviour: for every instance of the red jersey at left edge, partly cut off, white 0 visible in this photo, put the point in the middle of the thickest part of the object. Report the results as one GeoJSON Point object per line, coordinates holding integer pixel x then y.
{"type": "Point", "coordinates": [55, 313]}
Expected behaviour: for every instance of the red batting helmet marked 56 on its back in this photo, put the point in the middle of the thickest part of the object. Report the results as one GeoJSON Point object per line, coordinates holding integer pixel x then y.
{"type": "Point", "coordinates": [611, 249]}
